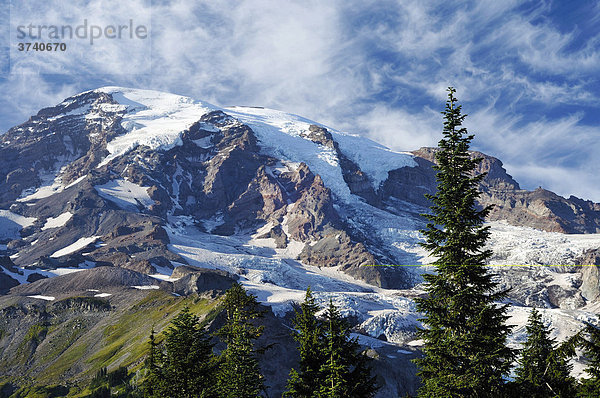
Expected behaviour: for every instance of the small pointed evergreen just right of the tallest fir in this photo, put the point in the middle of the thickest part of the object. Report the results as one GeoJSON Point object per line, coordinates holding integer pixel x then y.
{"type": "Point", "coordinates": [543, 370]}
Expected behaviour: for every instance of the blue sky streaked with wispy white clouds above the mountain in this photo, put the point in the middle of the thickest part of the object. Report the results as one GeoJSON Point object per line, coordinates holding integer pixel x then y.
{"type": "Point", "coordinates": [526, 72]}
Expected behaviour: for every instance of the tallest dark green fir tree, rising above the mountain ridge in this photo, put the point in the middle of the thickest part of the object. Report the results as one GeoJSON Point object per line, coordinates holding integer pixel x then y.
{"type": "Point", "coordinates": [465, 351]}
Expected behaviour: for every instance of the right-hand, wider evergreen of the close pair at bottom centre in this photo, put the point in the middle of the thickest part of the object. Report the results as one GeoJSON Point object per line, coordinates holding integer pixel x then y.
{"type": "Point", "coordinates": [346, 372]}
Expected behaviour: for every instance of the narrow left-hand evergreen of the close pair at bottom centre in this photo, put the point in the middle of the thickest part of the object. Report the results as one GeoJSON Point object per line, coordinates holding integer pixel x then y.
{"type": "Point", "coordinates": [305, 382]}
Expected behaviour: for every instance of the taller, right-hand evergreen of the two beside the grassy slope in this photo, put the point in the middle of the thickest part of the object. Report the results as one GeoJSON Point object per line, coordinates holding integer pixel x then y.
{"type": "Point", "coordinates": [239, 374]}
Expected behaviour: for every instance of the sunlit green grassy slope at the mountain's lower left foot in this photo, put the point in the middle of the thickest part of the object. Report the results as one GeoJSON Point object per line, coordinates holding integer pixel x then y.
{"type": "Point", "coordinates": [78, 348]}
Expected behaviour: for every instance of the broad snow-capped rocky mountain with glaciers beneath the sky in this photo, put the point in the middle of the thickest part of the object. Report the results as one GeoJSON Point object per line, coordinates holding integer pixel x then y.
{"type": "Point", "coordinates": [150, 181]}
